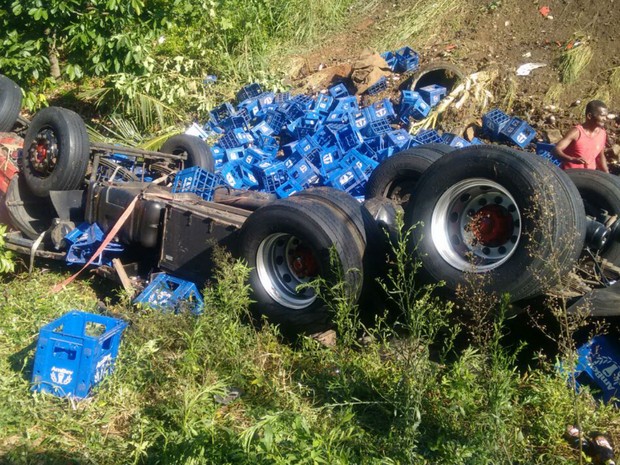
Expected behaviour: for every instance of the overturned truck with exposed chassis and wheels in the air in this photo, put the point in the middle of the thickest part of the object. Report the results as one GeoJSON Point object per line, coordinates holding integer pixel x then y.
{"type": "Point", "coordinates": [507, 215]}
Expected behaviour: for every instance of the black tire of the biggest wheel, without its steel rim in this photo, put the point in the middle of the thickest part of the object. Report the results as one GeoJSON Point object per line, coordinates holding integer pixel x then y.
{"type": "Point", "coordinates": [530, 269]}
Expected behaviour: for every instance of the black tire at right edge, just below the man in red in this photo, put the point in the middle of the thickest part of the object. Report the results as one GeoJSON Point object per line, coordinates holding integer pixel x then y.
{"type": "Point", "coordinates": [600, 190]}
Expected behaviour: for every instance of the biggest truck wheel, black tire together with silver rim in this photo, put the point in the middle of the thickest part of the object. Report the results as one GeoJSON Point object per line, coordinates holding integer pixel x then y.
{"type": "Point", "coordinates": [498, 212]}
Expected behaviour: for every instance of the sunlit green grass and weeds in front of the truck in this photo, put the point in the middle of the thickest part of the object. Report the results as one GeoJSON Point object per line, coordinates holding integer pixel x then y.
{"type": "Point", "coordinates": [405, 396]}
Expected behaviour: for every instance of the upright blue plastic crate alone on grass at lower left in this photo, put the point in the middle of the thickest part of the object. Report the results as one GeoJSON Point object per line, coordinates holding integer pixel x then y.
{"type": "Point", "coordinates": [75, 353]}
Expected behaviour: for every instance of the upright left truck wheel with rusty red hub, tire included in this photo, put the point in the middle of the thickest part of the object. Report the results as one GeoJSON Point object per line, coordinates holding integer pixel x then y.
{"type": "Point", "coordinates": [56, 151]}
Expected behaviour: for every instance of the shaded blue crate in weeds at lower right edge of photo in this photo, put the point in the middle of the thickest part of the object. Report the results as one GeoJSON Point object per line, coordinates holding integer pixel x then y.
{"type": "Point", "coordinates": [599, 363]}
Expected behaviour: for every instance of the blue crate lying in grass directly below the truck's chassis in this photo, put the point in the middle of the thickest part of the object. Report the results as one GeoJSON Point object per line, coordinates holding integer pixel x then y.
{"type": "Point", "coordinates": [169, 293]}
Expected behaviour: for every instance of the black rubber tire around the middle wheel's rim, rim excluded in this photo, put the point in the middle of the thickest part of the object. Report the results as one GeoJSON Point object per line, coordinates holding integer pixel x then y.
{"type": "Point", "coordinates": [320, 227]}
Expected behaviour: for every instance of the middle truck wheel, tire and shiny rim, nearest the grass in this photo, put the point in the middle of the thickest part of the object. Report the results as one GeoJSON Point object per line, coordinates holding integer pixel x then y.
{"type": "Point", "coordinates": [288, 243]}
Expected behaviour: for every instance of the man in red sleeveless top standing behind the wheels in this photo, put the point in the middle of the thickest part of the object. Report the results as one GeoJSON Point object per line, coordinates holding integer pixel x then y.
{"type": "Point", "coordinates": [584, 145]}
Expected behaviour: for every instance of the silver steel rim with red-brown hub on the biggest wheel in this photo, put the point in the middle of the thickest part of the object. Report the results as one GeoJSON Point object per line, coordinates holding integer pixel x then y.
{"type": "Point", "coordinates": [476, 225]}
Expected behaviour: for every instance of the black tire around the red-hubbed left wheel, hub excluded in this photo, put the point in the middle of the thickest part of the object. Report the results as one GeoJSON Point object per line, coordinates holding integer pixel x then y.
{"type": "Point", "coordinates": [73, 151]}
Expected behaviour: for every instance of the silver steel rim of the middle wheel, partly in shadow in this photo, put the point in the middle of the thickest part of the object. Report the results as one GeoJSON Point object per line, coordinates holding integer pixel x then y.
{"type": "Point", "coordinates": [284, 262]}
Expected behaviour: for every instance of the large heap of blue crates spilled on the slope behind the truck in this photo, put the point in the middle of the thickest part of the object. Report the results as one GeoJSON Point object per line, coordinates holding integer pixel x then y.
{"type": "Point", "coordinates": [282, 144]}
